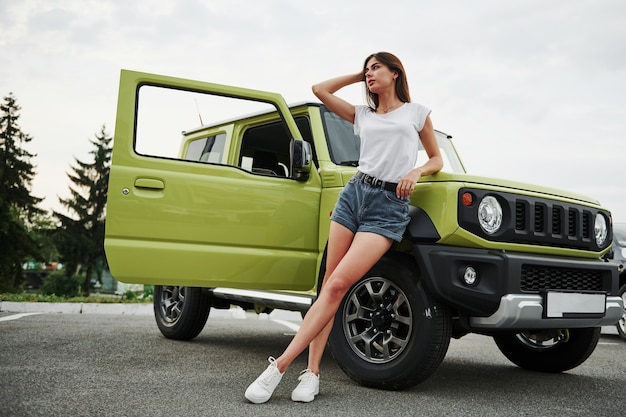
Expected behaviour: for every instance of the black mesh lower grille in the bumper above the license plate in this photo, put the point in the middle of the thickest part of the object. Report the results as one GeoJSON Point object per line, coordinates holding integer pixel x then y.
{"type": "Point", "coordinates": [538, 278]}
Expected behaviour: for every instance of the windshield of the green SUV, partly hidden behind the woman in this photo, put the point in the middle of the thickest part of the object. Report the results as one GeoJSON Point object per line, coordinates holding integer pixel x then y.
{"type": "Point", "coordinates": [344, 145]}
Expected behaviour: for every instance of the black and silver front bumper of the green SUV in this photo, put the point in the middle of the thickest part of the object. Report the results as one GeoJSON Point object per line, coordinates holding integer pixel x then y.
{"type": "Point", "coordinates": [510, 287]}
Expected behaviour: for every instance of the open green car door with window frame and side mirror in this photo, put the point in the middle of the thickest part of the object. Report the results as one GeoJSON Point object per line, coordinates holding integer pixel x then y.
{"type": "Point", "coordinates": [196, 212]}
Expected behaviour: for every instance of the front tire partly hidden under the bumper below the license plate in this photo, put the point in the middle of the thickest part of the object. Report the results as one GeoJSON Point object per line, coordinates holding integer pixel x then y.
{"type": "Point", "coordinates": [549, 350]}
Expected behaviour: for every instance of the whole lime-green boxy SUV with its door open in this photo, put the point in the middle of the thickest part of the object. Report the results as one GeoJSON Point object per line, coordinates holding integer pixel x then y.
{"type": "Point", "coordinates": [236, 212]}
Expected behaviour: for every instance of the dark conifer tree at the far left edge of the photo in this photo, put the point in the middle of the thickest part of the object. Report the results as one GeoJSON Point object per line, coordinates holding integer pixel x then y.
{"type": "Point", "coordinates": [17, 206]}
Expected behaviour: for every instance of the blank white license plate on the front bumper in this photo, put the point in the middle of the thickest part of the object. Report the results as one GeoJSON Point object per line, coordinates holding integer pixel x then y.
{"type": "Point", "coordinates": [574, 304]}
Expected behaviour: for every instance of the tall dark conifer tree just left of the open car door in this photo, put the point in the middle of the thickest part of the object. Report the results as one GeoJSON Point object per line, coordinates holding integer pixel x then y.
{"type": "Point", "coordinates": [80, 240]}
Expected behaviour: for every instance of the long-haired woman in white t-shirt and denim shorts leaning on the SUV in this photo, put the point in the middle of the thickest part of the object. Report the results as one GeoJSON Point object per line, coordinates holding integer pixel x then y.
{"type": "Point", "coordinates": [372, 210]}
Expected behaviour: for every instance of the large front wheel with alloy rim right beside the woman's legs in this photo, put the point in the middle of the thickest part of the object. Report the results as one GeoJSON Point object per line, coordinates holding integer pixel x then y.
{"type": "Point", "coordinates": [388, 332]}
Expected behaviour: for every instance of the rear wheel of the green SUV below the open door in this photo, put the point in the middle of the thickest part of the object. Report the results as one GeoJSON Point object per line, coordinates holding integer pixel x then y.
{"type": "Point", "coordinates": [181, 312]}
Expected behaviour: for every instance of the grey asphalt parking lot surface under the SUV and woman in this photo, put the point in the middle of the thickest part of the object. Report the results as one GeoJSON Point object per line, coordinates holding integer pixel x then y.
{"type": "Point", "coordinates": [120, 365]}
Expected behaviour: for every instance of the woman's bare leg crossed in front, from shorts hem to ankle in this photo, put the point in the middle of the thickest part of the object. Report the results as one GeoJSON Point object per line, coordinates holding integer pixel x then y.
{"type": "Point", "coordinates": [366, 249]}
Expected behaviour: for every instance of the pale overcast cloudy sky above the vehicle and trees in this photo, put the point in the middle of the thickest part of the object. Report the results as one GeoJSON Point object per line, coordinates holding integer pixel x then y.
{"type": "Point", "coordinates": [531, 90]}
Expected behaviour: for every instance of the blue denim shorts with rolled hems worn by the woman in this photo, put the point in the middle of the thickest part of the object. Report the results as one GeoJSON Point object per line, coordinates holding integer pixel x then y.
{"type": "Point", "coordinates": [364, 208]}
